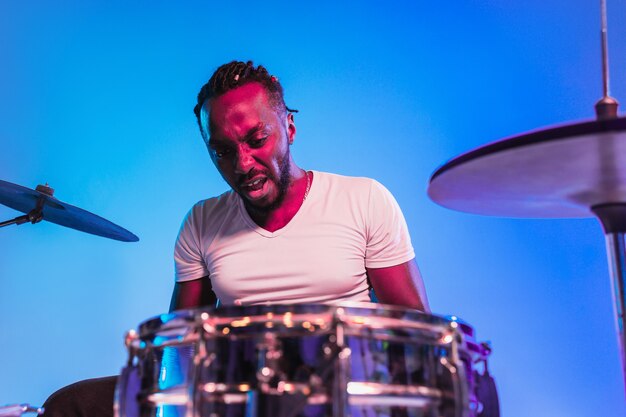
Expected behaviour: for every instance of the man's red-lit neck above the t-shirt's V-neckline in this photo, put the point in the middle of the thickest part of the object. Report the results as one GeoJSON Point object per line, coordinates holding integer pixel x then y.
{"type": "Point", "coordinates": [276, 218]}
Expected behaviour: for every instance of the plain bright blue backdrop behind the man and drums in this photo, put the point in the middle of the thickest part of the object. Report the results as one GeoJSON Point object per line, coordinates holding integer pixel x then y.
{"type": "Point", "coordinates": [96, 98]}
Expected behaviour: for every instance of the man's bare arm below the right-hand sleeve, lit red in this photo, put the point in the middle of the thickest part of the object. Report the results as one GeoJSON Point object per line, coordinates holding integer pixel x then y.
{"type": "Point", "coordinates": [400, 285]}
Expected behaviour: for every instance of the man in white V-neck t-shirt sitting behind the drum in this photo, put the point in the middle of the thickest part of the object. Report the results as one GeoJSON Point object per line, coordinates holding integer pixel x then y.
{"type": "Point", "coordinates": [281, 234]}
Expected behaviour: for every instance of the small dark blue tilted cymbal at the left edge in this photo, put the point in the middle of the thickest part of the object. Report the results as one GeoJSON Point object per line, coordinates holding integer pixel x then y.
{"type": "Point", "coordinates": [53, 210]}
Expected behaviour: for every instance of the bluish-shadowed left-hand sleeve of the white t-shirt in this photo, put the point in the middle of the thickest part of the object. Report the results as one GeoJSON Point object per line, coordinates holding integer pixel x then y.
{"type": "Point", "coordinates": [188, 261]}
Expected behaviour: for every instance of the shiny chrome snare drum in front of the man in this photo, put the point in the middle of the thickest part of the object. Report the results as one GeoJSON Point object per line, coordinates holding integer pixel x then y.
{"type": "Point", "coordinates": [301, 361]}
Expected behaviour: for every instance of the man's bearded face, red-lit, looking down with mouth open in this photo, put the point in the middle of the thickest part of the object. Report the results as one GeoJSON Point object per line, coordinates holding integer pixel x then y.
{"type": "Point", "coordinates": [249, 144]}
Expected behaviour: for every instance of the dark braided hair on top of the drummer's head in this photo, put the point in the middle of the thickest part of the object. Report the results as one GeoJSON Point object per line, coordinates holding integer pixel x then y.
{"type": "Point", "coordinates": [235, 74]}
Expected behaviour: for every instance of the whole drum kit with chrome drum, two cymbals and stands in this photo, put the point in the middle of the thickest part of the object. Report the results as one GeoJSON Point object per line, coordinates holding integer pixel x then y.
{"type": "Point", "coordinates": [366, 359]}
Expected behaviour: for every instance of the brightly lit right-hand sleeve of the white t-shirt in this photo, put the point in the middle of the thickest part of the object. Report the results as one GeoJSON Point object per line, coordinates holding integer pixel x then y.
{"type": "Point", "coordinates": [388, 240]}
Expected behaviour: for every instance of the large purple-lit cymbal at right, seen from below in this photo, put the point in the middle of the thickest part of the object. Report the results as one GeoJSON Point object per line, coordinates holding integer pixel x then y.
{"type": "Point", "coordinates": [557, 172]}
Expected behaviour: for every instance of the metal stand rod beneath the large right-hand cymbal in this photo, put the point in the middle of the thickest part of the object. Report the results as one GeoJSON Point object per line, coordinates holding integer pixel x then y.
{"type": "Point", "coordinates": [617, 264]}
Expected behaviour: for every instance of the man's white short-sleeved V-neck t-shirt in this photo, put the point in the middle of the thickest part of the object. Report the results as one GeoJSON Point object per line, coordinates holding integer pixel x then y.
{"type": "Point", "coordinates": [345, 225]}
